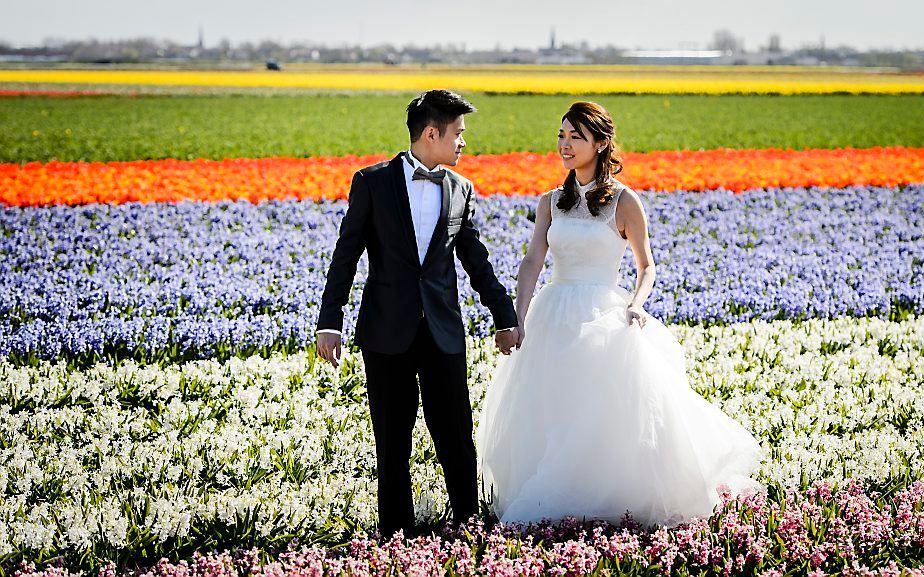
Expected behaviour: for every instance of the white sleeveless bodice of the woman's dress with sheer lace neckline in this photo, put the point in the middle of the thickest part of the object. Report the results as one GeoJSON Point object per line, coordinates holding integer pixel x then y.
{"type": "Point", "coordinates": [585, 248]}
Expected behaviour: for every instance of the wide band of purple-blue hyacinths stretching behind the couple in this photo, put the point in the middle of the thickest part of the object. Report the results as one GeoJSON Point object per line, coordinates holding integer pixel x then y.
{"type": "Point", "coordinates": [197, 280]}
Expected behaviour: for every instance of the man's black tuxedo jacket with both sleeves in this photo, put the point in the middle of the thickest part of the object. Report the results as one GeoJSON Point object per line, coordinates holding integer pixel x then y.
{"type": "Point", "coordinates": [398, 287]}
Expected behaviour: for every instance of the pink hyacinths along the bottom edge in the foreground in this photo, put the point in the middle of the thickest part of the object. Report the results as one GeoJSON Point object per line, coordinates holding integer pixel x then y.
{"type": "Point", "coordinates": [820, 531]}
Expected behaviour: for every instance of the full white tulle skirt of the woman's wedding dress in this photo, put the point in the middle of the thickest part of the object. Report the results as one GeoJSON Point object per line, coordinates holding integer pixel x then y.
{"type": "Point", "coordinates": [594, 417]}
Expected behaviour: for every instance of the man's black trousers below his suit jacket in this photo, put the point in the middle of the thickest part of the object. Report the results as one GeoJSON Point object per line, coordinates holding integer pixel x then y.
{"type": "Point", "coordinates": [393, 400]}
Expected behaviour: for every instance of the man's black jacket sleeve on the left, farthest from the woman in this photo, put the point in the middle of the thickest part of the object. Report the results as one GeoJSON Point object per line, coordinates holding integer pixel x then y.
{"type": "Point", "coordinates": [350, 246]}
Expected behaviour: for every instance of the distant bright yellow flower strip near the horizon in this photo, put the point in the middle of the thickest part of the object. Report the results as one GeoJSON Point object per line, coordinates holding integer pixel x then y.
{"type": "Point", "coordinates": [506, 79]}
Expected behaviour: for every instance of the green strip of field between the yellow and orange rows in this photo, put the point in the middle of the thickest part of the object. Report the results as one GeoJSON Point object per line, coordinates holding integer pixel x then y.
{"type": "Point", "coordinates": [220, 126]}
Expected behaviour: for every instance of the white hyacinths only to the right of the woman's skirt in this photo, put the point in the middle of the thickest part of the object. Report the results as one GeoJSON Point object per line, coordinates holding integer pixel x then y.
{"type": "Point", "coordinates": [829, 399]}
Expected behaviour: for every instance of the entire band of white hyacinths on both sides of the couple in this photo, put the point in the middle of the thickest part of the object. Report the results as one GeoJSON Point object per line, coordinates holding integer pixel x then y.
{"type": "Point", "coordinates": [112, 455]}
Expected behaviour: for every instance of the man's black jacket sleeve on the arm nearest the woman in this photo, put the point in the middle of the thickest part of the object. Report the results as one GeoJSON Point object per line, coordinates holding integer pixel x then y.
{"type": "Point", "coordinates": [474, 258]}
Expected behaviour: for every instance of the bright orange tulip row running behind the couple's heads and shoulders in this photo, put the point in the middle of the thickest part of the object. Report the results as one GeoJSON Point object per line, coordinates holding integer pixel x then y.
{"type": "Point", "coordinates": [258, 179]}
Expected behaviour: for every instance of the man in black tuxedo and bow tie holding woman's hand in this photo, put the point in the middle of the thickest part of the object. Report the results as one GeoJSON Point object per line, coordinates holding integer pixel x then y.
{"type": "Point", "coordinates": [410, 213]}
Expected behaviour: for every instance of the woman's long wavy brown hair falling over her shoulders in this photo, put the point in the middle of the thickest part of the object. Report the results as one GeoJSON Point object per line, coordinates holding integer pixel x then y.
{"type": "Point", "coordinates": [598, 121]}
